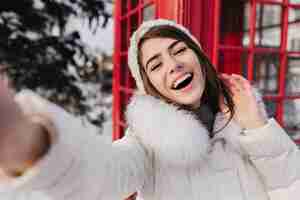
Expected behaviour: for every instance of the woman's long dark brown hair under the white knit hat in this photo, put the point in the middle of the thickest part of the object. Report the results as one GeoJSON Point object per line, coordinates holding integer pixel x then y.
{"type": "Point", "coordinates": [214, 87]}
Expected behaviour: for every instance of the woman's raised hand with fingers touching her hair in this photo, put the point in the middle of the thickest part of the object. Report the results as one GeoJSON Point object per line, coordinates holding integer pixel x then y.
{"type": "Point", "coordinates": [247, 111]}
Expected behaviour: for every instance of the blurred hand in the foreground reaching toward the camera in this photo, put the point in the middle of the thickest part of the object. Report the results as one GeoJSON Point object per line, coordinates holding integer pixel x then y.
{"type": "Point", "coordinates": [22, 142]}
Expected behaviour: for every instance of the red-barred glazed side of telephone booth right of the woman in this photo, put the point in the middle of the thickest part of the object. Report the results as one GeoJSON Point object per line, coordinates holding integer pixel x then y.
{"type": "Point", "coordinates": [260, 40]}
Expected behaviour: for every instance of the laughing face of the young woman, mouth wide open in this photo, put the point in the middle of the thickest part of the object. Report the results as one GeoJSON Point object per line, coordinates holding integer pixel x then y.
{"type": "Point", "coordinates": [174, 70]}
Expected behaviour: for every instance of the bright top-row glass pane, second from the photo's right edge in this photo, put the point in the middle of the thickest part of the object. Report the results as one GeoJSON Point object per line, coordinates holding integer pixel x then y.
{"type": "Point", "coordinates": [268, 25]}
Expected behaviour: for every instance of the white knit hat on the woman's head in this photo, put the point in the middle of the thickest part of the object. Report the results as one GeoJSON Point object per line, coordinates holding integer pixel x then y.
{"type": "Point", "coordinates": [133, 48]}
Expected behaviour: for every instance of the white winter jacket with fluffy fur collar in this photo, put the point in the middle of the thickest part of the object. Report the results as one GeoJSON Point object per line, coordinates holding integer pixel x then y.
{"type": "Point", "coordinates": [166, 154]}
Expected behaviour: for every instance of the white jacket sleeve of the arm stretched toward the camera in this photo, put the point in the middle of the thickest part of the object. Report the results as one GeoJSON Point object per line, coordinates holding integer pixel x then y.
{"type": "Point", "coordinates": [81, 164]}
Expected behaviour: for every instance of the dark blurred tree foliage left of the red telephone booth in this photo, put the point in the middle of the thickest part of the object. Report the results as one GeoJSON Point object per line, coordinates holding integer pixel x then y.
{"type": "Point", "coordinates": [37, 52]}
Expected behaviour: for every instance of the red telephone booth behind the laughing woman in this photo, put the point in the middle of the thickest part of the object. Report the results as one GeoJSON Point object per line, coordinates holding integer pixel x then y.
{"type": "Point", "coordinates": [256, 38]}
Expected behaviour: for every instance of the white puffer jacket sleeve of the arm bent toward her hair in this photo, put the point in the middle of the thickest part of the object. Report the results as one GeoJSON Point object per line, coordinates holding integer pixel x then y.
{"type": "Point", "coordinates": [277, 159]}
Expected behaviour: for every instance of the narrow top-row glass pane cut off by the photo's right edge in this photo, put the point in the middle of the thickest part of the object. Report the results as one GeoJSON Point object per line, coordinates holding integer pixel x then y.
{"type": "Point", "coordinates": [293, 30]}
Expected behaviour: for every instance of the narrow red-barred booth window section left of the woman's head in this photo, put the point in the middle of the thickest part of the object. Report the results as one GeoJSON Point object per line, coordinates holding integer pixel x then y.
{"type": "Point", "coordinates": [129, 14]}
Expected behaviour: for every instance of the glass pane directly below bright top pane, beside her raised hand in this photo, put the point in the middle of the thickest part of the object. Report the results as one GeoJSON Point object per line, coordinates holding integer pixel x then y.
{"type": "Point", "coordinates": [266, 69]}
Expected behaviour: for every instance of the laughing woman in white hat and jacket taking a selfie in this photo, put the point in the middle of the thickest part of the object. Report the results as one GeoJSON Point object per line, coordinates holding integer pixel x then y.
{"type": "Point", "coordinates": [191, 135]}
